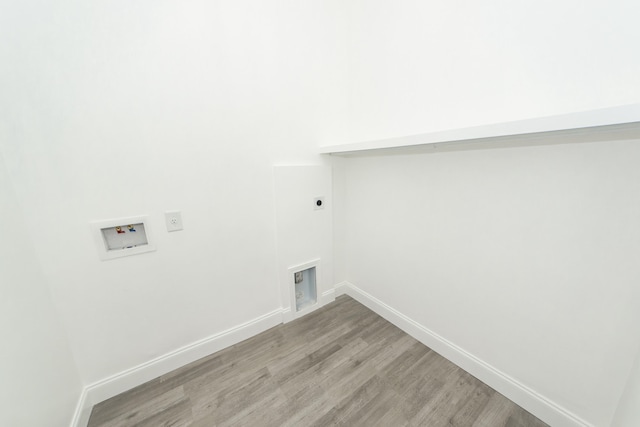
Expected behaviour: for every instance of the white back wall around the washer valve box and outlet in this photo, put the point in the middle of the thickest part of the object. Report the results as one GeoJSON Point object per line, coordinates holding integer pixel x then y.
{"type": "Point", "coordinates": [123, 108]}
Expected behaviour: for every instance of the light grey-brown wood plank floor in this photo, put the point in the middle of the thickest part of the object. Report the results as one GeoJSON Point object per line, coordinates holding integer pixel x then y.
{"type": "Point", "coordinates": [339, 365]}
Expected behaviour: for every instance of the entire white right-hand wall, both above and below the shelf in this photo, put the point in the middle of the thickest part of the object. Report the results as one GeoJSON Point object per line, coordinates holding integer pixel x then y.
{"type": "Point", "coordinates": [519, 256]}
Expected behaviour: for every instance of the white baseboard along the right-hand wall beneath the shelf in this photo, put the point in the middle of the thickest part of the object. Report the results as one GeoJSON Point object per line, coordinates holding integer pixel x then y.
{"type": "Point", "coordinates": [538, 405]}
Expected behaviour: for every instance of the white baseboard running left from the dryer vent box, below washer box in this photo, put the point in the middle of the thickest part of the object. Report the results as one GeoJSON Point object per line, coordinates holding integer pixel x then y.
{"type": "Point", "coordinates": [123, 381]}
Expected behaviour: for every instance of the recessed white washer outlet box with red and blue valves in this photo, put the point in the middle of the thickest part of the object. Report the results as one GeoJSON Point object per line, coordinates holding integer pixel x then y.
{"type": "Point", "coordinates": [122, 237]}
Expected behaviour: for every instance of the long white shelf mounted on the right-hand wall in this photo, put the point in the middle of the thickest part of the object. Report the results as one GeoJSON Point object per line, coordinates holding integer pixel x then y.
{"type": "Point", "coordinates": [614, 119]}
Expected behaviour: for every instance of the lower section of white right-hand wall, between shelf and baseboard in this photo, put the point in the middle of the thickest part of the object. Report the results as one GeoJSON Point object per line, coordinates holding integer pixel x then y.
{"type": "Point", "coordinates": [524, 257]}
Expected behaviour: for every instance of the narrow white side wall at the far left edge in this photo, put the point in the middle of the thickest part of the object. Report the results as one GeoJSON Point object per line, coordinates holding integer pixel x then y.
{"type": "Point", "coordinates": [40, 385]}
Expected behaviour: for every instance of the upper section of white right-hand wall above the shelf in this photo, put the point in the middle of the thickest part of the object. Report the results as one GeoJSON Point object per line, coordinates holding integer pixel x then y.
{"type": "Point", "coordinates": [417, 67]}
